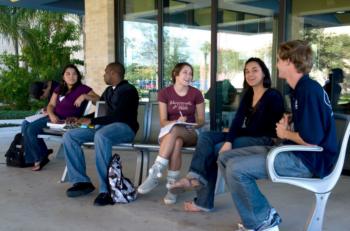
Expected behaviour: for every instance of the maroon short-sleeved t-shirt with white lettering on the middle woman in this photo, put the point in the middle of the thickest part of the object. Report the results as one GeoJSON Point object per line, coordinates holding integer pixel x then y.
{"type": "Point", "coordinates": [177, 105]}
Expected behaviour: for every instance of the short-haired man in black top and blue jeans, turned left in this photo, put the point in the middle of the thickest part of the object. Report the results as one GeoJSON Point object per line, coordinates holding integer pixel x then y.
{"type": "Point", "coordinates": [119, 125]}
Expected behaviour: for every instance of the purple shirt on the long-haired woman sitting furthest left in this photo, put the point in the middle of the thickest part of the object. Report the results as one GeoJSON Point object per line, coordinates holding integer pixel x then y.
{"type": "Point", "coordinates": [65, 104]}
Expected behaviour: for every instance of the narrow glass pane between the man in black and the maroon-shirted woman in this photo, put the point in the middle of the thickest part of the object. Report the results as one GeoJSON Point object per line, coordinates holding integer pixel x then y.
{"type": "Point", "coordinates": [141, 45]}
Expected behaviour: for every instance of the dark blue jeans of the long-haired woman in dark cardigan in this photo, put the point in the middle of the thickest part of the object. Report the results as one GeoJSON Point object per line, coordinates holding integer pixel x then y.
{"type": "Point", "coordinates": [204, 162]}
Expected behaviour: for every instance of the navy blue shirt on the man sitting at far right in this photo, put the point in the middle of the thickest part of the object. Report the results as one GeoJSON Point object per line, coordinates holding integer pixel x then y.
{"type": "Point", "coordinates": [313, 120]}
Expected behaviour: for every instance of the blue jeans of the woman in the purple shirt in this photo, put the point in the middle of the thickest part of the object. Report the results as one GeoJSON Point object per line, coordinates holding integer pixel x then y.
{"type": "Point", "coordinates": [35, 149]}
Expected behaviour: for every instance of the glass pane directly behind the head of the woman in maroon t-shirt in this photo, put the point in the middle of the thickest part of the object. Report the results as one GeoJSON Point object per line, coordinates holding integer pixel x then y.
{"type": "Point", "coordinates": [186, 37]}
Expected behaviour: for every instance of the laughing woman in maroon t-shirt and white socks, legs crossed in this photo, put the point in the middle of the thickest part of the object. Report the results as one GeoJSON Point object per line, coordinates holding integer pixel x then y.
{"type": "Point", "coordinates": [178, 102]}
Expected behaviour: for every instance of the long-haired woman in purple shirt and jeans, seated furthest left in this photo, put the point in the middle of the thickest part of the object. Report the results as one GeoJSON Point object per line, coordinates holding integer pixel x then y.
{"type": "Point", "coordinates": [66, 101]}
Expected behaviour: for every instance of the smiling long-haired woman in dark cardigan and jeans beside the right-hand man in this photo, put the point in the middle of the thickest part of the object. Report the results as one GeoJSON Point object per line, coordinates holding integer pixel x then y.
{"type": "Point", "coordinates": [260, 109]}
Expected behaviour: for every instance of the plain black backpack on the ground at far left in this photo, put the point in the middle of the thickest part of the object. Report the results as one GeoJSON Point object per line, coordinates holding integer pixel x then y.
{"type": "Point", "coordinates": [15, 153]}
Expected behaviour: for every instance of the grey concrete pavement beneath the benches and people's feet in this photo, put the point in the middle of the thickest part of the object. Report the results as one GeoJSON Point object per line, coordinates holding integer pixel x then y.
{"type": "Point", "coordinates": [34, 201]}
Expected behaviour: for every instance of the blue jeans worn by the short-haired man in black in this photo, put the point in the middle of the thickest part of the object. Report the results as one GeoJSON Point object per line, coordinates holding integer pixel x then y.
{"type": "Point", "coordinates": [104, 138]}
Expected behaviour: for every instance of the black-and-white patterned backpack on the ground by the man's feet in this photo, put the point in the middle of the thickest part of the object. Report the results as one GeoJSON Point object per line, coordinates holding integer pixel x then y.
{"type": "Point", "coordinates": [120, 188]}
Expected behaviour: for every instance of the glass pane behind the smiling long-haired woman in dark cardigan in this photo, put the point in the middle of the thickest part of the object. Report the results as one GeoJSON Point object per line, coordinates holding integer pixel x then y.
{"type": "Point", "coordinates": [245, 29]}
